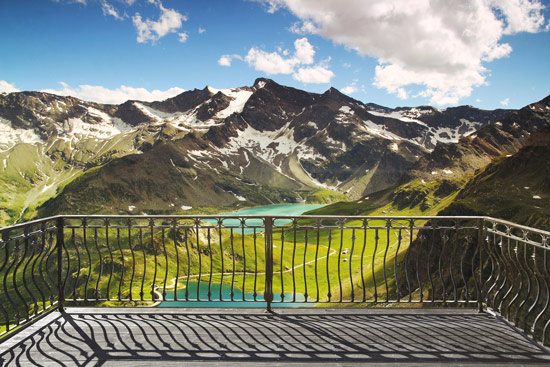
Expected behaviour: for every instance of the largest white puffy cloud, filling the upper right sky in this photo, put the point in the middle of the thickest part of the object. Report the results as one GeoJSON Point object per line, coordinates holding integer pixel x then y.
{"type": "Point", "coordinates": [442, 46]}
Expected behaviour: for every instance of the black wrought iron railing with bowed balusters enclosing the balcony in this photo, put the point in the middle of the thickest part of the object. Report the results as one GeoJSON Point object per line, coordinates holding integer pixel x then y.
{"type": "Point", "coordinates": [275, 262]}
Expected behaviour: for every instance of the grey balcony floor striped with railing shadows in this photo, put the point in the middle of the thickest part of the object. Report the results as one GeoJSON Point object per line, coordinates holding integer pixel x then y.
{"type": "Point", "coordinates": [225, 337]}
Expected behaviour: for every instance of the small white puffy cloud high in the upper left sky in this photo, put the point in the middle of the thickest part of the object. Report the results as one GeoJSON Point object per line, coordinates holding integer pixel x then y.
{"type": "Point", "coordinates": [170, 21]}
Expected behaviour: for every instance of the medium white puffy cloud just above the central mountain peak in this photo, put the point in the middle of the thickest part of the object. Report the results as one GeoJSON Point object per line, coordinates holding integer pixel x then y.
{"type": "Point", "coordinates": [282, 62]}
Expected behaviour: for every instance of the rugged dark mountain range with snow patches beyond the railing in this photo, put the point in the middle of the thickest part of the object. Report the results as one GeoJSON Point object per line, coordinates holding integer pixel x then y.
{"type": "Point", "coordinates": [253, 145]}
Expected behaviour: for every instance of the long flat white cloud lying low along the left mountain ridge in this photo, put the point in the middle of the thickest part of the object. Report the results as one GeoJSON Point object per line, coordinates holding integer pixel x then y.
{"type": "Point", "coordinates": [100, 94]}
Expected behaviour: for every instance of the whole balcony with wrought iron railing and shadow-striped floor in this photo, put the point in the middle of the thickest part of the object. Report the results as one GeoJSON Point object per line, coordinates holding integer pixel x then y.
{"type": "Point", "coordinates": [131, 290]}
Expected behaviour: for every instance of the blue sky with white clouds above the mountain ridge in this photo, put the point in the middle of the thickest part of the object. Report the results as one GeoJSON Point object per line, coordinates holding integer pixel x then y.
{"type": "Point", "coordinates": [97, 43]}
